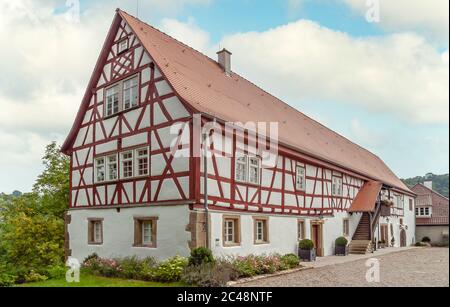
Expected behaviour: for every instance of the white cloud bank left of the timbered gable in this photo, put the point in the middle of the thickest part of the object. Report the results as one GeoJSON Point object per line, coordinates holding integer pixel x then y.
{"type": "Point", "coordinates": [46, 64]}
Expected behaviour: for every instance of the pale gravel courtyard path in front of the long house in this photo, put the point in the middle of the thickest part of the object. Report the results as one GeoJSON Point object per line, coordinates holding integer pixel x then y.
{"type": "Point", "coordinates": [428, 267]}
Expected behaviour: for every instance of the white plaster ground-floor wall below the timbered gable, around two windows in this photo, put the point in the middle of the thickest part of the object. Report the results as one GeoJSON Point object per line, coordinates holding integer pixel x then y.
{"type": "Point", "coordinates": [118, 232]}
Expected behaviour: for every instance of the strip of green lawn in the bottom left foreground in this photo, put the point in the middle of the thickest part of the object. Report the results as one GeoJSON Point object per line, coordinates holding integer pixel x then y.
{"type": "Point", "coordinates": [95, 281]}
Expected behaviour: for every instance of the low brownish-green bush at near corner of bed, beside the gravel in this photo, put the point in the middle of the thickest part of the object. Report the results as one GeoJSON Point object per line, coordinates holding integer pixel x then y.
{"type": "Point", "coordinates": [216, 274]}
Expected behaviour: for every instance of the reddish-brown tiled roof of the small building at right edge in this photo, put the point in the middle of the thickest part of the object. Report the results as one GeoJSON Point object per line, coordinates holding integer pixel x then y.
{"type": "Point", "coordinates": [429, 198]}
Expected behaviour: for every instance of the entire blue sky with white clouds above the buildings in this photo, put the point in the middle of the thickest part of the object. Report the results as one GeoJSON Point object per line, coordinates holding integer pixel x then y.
{"type": "Point", "coordinates": [375, 71]}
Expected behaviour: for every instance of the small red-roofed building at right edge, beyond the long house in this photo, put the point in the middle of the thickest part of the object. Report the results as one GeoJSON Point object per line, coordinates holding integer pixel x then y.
{"type": "Point", "coordinates": [431, 214]}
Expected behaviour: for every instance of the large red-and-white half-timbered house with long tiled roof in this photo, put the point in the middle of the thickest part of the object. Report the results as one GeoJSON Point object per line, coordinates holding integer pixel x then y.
{"type": "Point", "coordinates": [141, 186]}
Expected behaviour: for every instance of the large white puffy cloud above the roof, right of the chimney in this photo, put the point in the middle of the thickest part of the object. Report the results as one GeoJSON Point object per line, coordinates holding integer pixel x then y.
{"type": "Point", "coordinates": [399, 74]}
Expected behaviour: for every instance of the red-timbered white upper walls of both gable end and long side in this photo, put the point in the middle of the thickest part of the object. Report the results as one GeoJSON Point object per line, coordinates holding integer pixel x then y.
{"type": "Point", "coordinates": [174, 180]}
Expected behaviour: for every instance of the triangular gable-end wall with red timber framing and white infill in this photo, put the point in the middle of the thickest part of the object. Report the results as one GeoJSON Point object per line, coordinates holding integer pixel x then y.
{"type": "Point", "coordinates": [145, 126]}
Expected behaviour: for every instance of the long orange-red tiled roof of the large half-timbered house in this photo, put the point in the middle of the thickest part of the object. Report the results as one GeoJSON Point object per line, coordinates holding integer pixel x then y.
{"type": "Point", "coordinates": [201, 83]}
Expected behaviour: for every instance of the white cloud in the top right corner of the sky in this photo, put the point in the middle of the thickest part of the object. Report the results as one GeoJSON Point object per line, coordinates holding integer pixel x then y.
{"type": "Point", "coordinates": [428, 16]}
